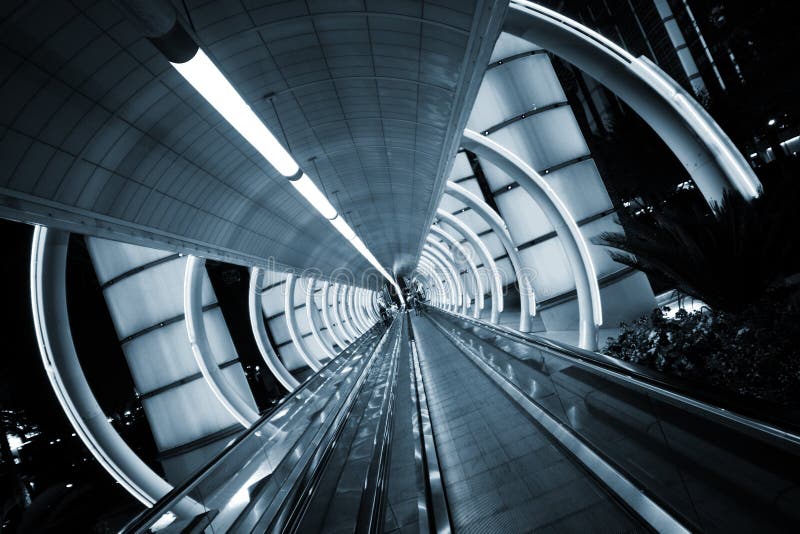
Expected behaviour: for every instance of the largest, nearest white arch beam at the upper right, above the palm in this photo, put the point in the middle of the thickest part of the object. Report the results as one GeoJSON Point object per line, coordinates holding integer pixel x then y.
{"type": "Point", "coordinates": [710, 157]}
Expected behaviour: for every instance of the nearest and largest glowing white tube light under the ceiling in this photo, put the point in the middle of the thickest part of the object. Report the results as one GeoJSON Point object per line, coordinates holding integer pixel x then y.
{"type": "Point", "coordinates": [209, 81]}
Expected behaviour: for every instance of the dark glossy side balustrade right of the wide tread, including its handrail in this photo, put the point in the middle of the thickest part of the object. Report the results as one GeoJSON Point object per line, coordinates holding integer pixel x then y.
{"type": "Point", "coordinates": [711, 475]}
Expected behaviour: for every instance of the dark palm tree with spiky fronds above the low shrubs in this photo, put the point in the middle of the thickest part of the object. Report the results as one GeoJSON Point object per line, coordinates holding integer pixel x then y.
{"type": "Point", "coordinates": [728, 257]}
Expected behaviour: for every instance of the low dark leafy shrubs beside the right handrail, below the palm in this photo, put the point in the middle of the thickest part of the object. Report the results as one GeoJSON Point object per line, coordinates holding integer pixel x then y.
{"type": "Point", "coordinates": [751, 353]}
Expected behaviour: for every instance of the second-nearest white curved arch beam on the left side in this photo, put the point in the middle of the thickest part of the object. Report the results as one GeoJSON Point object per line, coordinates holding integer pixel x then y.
{"type": "Point", "coordinates": [201, 348]}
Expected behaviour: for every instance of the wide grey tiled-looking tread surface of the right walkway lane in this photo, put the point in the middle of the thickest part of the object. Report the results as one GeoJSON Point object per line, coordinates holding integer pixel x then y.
{"type": "Point", "coordinates": [502, 473]}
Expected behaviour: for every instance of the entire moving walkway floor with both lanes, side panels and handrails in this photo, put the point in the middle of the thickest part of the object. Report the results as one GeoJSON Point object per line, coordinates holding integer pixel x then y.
{"type": "Point", "coordinates": [442, 423]}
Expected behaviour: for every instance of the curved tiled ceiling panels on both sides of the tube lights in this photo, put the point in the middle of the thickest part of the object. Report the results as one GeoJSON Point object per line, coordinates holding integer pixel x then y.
{"type": "Point", "coordinates": [101, 136]}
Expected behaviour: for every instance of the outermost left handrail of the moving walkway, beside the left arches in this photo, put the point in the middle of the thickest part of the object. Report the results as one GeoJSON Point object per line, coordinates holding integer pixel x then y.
{"type": "Point", "coordinates": [142, 521]}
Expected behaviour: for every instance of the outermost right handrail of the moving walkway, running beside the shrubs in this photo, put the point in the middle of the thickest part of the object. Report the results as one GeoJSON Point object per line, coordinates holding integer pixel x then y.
{"type": "Point", "coordinates": [670, 389]}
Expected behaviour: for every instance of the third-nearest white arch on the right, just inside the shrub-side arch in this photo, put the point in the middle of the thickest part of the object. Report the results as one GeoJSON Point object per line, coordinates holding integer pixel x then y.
{"type": "Point", "coordinates": [498, 226]}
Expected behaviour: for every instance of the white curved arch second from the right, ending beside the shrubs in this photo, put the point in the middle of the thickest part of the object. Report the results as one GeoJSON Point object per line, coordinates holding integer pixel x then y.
{"type": "Point", "coordinates": [590, 308]}
